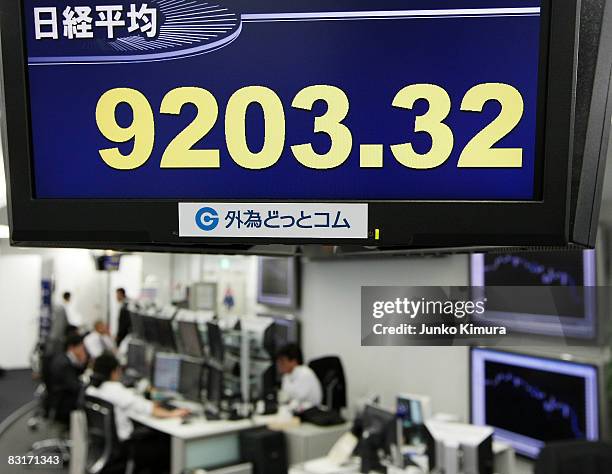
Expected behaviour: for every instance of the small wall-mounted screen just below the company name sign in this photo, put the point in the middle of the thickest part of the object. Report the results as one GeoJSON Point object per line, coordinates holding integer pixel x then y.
{"type": "Point", "coordinates": [277, 282]}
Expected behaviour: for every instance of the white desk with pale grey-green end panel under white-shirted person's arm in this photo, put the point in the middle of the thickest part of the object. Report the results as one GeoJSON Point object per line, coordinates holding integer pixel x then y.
{"type": "Point", "coordinates": [201, 443]}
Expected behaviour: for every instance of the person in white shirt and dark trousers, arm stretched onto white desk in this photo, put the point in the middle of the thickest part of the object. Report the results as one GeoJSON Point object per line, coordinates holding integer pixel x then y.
{"type": "Point", "coordinates": [150, 449]}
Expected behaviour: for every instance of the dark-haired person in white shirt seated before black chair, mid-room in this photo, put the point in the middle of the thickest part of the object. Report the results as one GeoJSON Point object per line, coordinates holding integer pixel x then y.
{"type": "Point", "coordinates": [299, 384]}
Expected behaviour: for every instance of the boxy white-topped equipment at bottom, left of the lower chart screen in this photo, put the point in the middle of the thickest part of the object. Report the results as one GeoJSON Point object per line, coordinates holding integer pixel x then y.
{"type": "Point", "coordinates": [455, 448]}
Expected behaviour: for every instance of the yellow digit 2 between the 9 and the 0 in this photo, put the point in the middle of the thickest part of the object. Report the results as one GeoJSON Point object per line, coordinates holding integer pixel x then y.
{"type": "Point", "coordinates": [180, 152]}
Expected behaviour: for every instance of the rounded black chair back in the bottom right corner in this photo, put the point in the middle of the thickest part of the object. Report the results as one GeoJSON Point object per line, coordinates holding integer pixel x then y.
{"type": "Point", "coordinates": [573, 457]}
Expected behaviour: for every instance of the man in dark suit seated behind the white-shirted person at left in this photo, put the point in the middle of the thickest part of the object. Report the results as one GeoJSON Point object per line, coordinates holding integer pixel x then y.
{"type": "Point", "coordinates": [64, 387]}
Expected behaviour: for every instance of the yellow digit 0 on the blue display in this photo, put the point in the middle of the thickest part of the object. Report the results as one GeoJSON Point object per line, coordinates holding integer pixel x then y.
{"type": "Point", "coordinates": [274, 123]}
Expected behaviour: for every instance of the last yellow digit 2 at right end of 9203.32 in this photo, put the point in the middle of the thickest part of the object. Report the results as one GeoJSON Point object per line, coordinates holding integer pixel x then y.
{"type": "Point", "coordinates": [479, 152]}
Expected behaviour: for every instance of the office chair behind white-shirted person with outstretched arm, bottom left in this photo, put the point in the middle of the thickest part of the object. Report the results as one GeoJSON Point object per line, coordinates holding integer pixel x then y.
{"type": "Point", "coordinates": [105, 453]}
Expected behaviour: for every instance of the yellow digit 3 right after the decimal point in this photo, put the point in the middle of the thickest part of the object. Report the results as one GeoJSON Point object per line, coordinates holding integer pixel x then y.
{"type": "Point", "coordinates": [442, 139]}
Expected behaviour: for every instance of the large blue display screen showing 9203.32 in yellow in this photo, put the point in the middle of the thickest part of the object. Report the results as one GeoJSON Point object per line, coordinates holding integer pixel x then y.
{"type": "Point", "coordinates": [270, 100]}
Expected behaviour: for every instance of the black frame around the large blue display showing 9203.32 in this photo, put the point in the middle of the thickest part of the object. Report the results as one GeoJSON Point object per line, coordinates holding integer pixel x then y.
{"type": "Point", "coordinates": [138, 224]}
